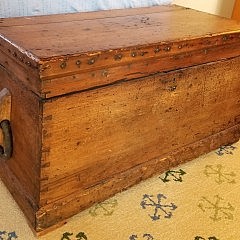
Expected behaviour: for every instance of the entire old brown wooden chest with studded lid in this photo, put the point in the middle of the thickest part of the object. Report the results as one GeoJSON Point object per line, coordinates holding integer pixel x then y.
{"type": "Point", "coordinates": [92, 103]}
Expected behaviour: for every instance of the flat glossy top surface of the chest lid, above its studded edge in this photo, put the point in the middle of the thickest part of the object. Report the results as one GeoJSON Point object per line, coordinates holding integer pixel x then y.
{"type": "Point", "coordinates": [93, 35]}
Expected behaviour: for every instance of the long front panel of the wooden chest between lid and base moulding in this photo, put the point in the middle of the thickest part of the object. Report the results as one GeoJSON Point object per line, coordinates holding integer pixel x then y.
{"type": "Point", "coordinates": [118, 127]}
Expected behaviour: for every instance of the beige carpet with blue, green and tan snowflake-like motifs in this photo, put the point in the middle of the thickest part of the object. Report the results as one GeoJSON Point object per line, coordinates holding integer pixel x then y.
{"type": "Point", "coordinates": [198, 200]}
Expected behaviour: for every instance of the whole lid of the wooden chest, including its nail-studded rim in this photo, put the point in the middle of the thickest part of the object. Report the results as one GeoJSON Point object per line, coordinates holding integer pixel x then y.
{"type": "Point", "coordinates": [59, 54]}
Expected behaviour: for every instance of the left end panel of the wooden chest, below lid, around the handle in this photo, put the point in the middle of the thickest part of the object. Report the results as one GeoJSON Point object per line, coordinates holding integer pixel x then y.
{"type": "Point", "coordinates": [21, 172]}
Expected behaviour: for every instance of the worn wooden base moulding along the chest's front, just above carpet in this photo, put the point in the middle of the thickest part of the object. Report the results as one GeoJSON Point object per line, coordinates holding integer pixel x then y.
{"type": "Point", "coordinates": [54, 214]}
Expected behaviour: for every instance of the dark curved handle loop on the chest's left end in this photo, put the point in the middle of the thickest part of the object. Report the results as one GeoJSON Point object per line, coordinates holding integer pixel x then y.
{"type": "Point", "coordinates": [7, 148]}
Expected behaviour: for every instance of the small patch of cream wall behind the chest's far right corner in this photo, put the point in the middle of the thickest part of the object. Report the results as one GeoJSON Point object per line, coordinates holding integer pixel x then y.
{"type": "Point", "coordinates": [219, 7]}
